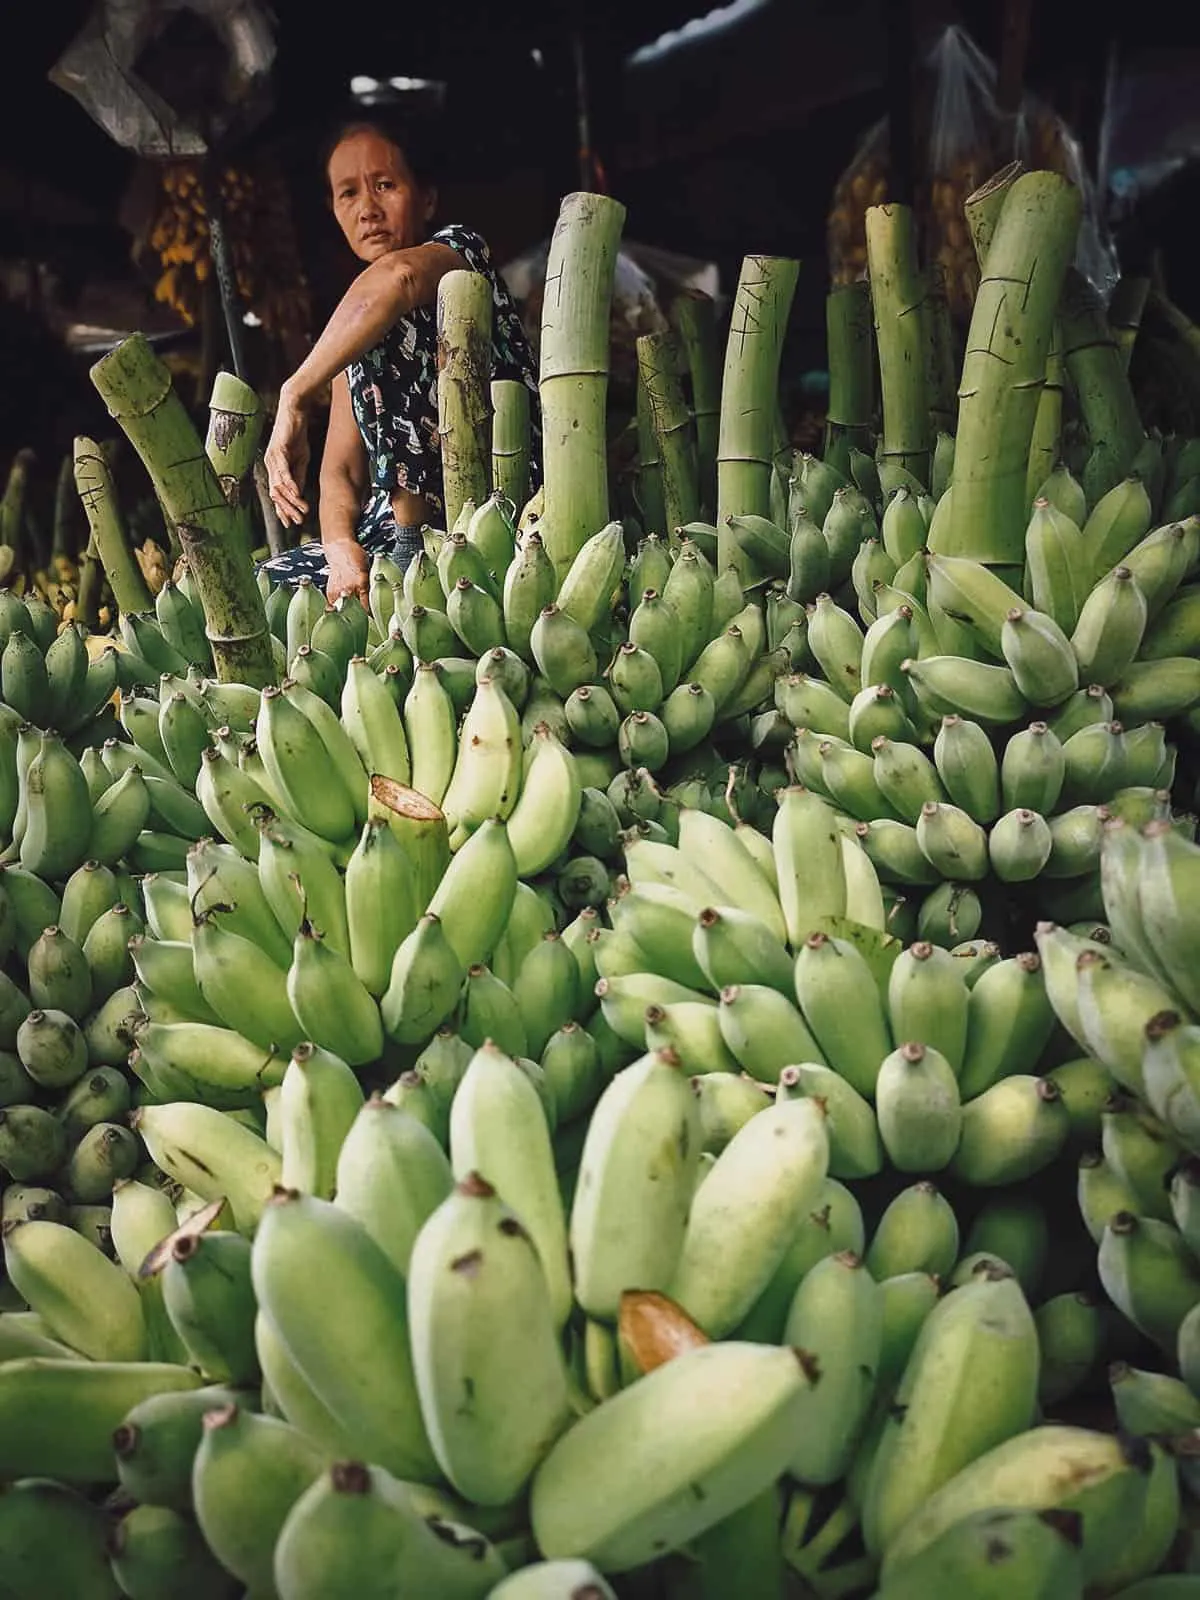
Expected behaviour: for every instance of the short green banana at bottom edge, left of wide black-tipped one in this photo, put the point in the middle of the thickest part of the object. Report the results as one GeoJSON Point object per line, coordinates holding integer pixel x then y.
{"type": "Point", "coordinates": [247, 1476]}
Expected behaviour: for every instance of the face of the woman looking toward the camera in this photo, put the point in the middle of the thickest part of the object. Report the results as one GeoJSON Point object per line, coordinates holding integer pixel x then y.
{"type": "Point", "coordinates": [377, 201]}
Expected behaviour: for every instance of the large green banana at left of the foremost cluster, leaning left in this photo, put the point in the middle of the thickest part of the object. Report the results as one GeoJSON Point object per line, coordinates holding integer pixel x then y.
{"type": "Point", "coordinates": [310, 1255]}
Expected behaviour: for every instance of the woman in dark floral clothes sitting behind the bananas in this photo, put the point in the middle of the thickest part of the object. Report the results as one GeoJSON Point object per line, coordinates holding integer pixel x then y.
{"type": "Point", "coordinates": [382, 468]}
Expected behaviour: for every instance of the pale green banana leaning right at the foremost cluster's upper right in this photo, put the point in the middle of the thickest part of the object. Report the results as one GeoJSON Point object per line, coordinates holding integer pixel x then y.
{"type": "Point", "coordinates": [743, 1214]}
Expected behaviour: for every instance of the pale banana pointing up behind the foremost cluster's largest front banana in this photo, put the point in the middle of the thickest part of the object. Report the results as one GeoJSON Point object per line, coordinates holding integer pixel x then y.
{"type": "Point", "coordinates": [498, 1129]}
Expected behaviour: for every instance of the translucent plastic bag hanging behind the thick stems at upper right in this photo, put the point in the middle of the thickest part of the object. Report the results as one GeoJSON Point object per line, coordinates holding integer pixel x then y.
{"type": "Point", "coordinates": [966, 137]}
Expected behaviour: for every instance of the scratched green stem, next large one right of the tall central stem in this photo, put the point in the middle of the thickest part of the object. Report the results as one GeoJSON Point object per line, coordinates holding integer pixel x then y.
{"type": "Point", "coordinates": [751, 399]}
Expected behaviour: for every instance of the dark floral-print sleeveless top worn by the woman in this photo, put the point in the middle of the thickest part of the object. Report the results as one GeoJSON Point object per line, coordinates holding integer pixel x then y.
{"type": "Point", "coordinates": [394, 388]}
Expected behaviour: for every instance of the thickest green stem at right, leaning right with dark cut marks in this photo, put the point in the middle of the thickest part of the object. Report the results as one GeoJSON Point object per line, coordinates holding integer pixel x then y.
{"type": "Point", "coordinates": [1006, 369]}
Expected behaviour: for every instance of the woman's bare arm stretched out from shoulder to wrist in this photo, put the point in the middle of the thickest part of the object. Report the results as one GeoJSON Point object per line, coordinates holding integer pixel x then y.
{"type": "Point", "coordinates": [382, 294]}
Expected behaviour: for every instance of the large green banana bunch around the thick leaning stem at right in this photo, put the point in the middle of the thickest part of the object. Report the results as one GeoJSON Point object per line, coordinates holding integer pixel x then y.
{"type": "Point", "coordinates": [977, 734]}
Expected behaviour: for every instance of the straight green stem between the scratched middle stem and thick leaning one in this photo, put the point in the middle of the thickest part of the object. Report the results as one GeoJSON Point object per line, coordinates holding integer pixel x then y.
{"type": "Point", "coordinates": [897, 295]}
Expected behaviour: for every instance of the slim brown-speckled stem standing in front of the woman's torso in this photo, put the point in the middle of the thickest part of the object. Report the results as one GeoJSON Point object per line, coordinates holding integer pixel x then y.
{"type": "Point", "coordinates": [465, 390]}
